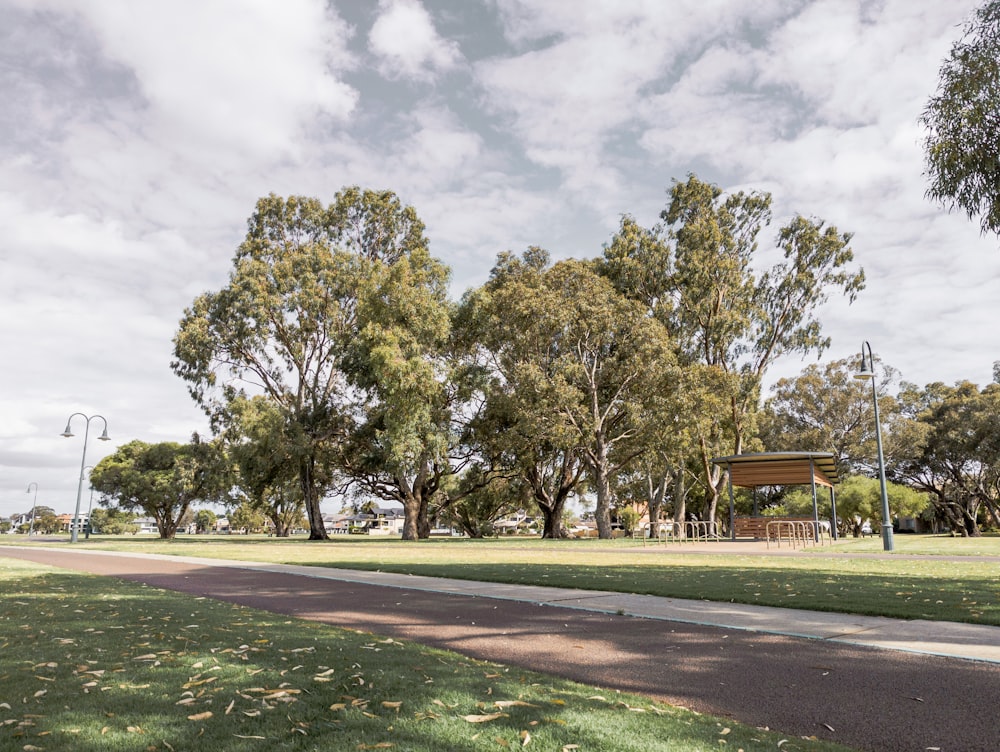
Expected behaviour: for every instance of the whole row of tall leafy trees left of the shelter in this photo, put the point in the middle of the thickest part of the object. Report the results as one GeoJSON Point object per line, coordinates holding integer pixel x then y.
{"type": "Point", "coordinates": [333, 361]}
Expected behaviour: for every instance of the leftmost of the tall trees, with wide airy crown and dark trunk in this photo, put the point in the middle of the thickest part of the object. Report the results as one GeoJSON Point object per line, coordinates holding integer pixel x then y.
{"type": "Point", "coordinates": [287, 324]}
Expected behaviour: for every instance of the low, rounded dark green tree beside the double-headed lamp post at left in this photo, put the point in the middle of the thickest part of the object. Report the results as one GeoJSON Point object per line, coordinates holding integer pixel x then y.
{"type": "Point", "coordinates": [162, 480]}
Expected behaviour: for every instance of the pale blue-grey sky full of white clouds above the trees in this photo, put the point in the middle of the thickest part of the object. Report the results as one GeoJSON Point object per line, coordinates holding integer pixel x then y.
{"type": "Point", "coordinates": [135, 137]}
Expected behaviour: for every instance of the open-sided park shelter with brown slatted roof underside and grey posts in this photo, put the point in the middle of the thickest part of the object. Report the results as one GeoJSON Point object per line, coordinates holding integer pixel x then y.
{"type": "Point", "coordinates": [782, 469]}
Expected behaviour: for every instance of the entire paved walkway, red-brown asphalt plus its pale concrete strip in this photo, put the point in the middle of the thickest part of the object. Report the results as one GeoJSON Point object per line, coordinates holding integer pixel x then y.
{"type": "Point", "coordinates": [871, 683]}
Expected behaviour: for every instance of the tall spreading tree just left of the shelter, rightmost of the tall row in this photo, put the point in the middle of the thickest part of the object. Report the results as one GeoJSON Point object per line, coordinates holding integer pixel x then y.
{"type": "Point", "coordinates": [696, 275]}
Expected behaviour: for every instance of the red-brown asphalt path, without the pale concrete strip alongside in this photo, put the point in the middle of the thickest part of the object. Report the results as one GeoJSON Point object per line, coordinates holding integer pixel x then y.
{"type": "Point", "coordinates": [869, 699]}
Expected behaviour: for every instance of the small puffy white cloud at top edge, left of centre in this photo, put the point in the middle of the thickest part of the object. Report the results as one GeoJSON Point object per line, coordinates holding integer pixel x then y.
{"type": "Point", "coordinates": [404, 39]}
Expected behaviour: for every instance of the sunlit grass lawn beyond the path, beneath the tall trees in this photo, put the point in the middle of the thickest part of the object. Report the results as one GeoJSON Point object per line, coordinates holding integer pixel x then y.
{"type": "Point", "coordinates": [946, 583]}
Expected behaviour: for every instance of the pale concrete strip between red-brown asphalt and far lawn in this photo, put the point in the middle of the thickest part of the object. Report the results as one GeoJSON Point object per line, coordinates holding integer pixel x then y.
{"type": "Point", "coordinates": [949, 639]}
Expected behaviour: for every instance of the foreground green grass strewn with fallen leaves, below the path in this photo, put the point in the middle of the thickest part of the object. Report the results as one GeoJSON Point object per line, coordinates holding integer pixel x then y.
{"type": "Point", "coordinates": [96, 664]}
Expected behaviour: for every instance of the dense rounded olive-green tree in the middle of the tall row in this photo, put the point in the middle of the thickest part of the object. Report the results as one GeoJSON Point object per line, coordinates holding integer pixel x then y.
{"type": "Point", "coordinates": [574, 368]}
